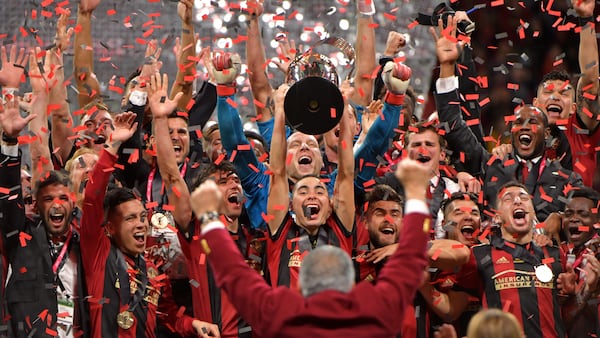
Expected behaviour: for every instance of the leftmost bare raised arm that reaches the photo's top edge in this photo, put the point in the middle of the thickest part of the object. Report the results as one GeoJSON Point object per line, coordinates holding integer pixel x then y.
{"type": "Point", "coordinates": [83, 59]}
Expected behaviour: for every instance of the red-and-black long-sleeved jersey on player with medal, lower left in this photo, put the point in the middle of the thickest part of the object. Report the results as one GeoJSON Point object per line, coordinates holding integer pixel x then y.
{"type": "Point", "coordinates": [103, 265]}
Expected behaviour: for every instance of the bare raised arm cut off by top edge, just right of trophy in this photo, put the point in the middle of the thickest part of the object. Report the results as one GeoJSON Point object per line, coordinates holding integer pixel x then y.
{"type": "Point", "coordinates": [365, 55]}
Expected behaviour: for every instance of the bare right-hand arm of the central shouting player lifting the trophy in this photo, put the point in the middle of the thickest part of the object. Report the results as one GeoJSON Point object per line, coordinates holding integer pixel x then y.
{"type": "Point", "coordinates": [343, 191]}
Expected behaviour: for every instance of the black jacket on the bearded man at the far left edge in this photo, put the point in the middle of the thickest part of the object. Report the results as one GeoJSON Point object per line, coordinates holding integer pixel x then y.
{"type": "Point", "coordinates": [32, 287]}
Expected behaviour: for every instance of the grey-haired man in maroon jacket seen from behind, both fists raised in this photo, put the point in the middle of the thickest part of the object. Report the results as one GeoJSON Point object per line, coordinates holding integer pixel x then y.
{"type": "Point", "coordinates": [330, 304]}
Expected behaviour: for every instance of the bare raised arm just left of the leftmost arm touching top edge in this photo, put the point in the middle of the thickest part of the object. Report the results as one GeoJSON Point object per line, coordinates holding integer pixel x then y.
{"type": "Point", "coordinates": [62, 121]}
